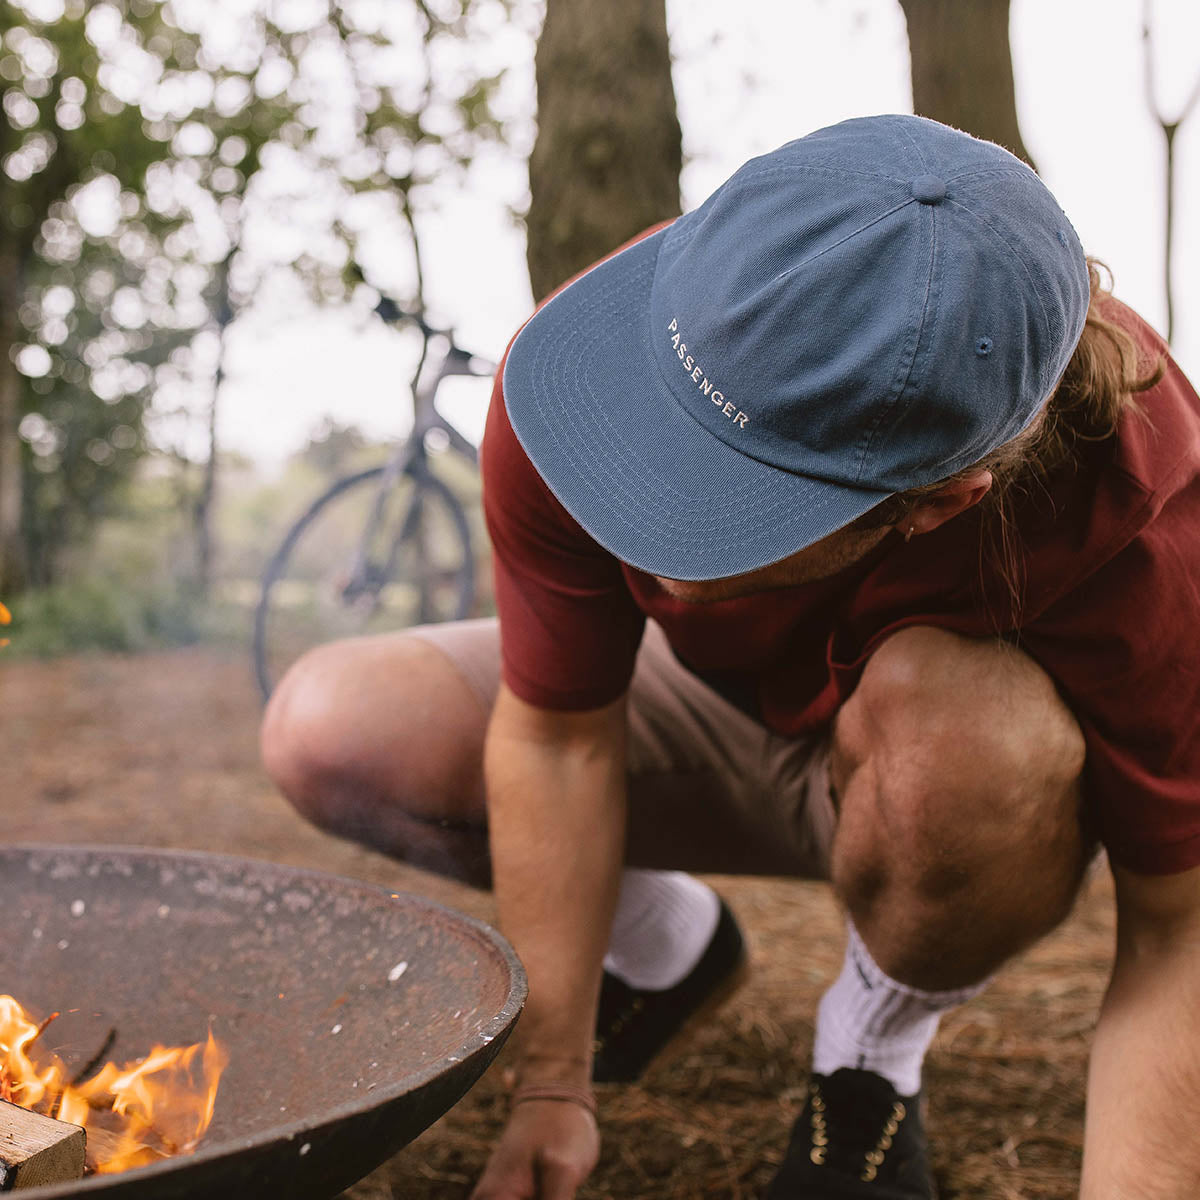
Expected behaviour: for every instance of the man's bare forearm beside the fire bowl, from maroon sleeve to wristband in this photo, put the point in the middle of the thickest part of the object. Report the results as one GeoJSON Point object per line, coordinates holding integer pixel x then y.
{"type": "Point", "coordinates": [556, 787]}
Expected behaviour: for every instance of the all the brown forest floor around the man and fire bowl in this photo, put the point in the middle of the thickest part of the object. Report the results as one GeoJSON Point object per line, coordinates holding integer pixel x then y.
{"type": "Point", "coordinates": [161, 751]}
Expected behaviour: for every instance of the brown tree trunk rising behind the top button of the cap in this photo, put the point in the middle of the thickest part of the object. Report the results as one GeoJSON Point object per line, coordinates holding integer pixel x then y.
{"type": "Point", "coordinates": [963, 68]}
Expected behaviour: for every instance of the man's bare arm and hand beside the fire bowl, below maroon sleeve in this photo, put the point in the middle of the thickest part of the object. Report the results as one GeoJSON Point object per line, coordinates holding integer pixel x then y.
{"type": "Point", "coordinates": [556, 801]}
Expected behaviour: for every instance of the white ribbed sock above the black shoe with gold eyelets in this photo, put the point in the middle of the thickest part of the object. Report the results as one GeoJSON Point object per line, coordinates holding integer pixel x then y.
{"type": "Point", "coordinates": [869, 1021]}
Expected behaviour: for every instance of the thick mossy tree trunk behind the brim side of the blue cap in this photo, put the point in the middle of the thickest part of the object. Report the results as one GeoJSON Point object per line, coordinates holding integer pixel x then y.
{"type": "Point", "coordinates": [609, 151]}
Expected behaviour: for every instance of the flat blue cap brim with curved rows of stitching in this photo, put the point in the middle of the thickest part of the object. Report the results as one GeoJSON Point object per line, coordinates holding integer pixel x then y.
{"type": "Point", "coordinates": [643, 477]}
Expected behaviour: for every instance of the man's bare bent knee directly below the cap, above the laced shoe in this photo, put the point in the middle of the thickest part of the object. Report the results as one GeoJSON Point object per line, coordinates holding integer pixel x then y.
{"type": "Point", "coordinates": [958, 769]}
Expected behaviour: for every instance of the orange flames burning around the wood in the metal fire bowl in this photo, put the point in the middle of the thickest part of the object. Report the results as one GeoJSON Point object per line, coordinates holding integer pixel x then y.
{"type": "Point", "coordinates": [134, 1115]}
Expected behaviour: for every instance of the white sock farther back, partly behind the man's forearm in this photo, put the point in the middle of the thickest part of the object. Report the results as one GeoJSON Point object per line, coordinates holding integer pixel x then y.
{"type": "Point", "coordinates": [663, 926]}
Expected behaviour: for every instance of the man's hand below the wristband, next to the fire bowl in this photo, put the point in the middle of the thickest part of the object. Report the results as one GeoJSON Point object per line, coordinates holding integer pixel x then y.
{"type": "Point", "coordinates": [547, 1151]}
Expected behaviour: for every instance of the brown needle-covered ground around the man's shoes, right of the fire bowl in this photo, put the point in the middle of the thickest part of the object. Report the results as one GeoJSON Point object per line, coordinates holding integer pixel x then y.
{"type": "Point", "coordinates": [1005, 1078]}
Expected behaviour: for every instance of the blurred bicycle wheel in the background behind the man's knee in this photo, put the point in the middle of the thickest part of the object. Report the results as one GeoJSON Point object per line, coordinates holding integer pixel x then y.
{"type": "Point", "coordinates": [344, 571]}
